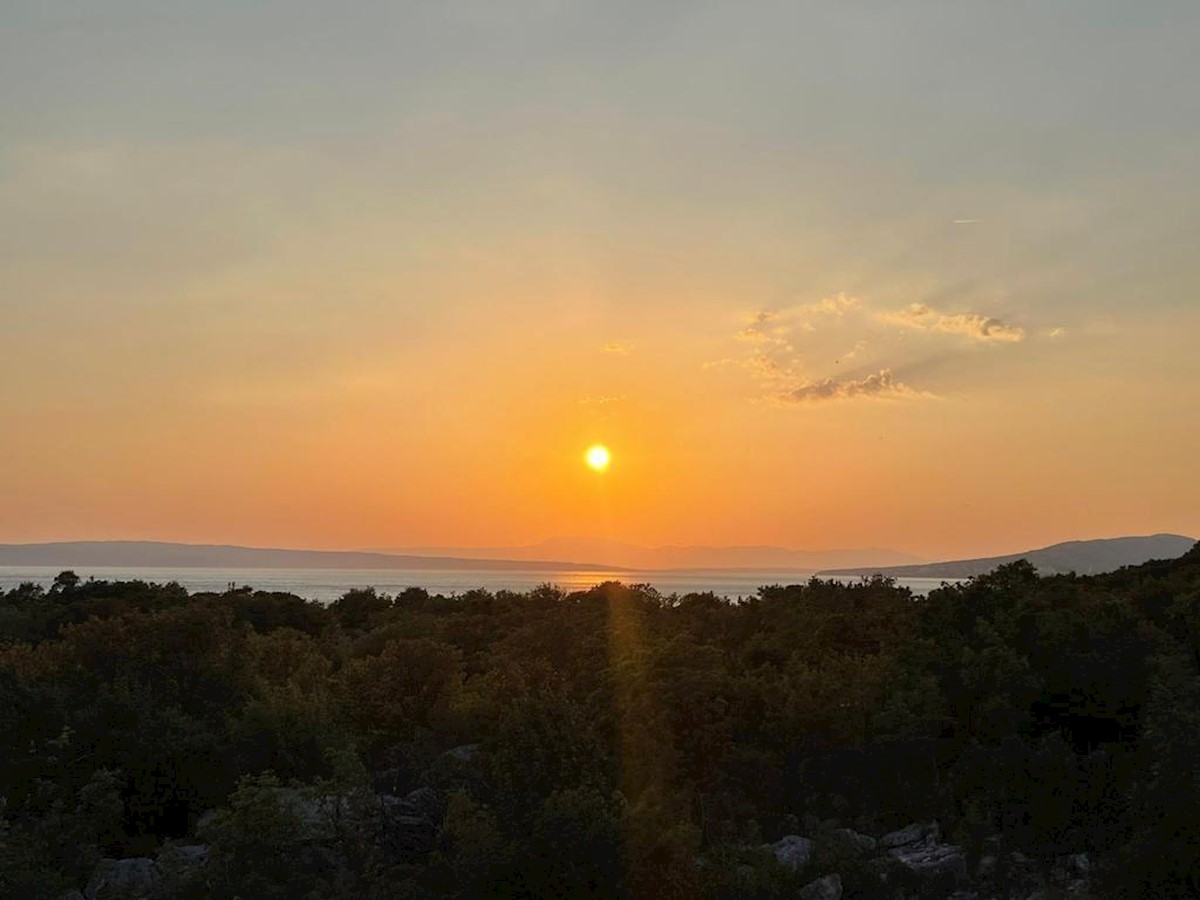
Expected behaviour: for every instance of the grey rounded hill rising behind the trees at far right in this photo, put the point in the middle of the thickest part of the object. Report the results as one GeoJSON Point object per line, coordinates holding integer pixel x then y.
{"type": "Point", "coordinates": [1082, 557]}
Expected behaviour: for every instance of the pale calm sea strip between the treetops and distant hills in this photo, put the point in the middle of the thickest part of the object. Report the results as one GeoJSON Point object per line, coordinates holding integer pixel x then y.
{"type": "Point", "coordinates": [328, 585]}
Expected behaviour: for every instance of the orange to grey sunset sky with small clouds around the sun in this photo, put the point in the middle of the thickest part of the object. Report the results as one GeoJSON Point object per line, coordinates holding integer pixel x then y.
{"type": "Point", "coordinates": [915, 275]}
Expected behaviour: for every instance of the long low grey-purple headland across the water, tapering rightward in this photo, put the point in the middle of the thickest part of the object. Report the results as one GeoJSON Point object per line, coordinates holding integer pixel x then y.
{"type": "Point", "coordinates": [207, 556]}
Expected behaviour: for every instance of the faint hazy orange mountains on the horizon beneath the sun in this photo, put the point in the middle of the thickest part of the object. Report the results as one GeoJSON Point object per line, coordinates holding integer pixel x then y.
{"type": "Point", "coordinates": [633, 556]}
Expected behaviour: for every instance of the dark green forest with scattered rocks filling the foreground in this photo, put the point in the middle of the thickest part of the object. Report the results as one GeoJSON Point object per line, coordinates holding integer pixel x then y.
{"type": "Point", "coordinates": [1013, 736]}
